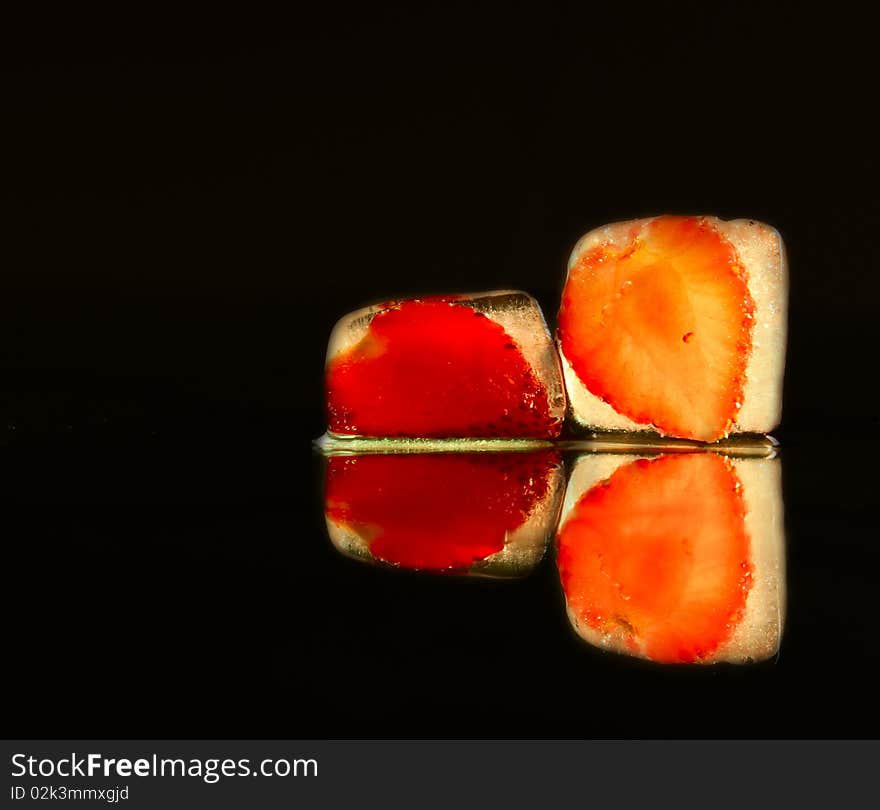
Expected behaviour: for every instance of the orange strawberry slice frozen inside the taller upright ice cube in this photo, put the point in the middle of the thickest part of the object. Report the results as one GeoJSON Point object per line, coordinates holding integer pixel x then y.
{"type": "Point", "coordinates": [660, 327]}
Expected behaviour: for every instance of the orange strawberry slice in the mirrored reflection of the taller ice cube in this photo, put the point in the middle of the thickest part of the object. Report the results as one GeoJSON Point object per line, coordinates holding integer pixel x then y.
{"type": "Point", "coordinates": [655, 559]}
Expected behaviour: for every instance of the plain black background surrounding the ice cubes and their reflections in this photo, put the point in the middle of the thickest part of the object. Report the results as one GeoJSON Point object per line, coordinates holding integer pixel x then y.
{"type": "Point", "coordinates": [188, 205]}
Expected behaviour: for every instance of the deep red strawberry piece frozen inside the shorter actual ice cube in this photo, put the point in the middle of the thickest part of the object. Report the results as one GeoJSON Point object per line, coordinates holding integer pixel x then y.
{"type": "Point", "coordinates": [437, 368]}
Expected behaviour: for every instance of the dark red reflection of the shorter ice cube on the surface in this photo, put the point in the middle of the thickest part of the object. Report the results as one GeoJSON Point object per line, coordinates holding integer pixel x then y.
{"type": "Point", "coordinates": [481, 514]}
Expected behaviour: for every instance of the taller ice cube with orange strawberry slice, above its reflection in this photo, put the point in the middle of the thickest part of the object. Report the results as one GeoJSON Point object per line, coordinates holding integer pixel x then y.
{"type": "Point", "coordinates": [676, 325]}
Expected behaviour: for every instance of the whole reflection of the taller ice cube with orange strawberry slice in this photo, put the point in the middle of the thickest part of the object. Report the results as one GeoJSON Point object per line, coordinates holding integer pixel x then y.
{"type": "Point", "coordinates": [675, 558]}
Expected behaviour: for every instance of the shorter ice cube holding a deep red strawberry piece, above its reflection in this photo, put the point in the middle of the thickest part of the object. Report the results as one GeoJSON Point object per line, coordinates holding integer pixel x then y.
{"type": "Point", "coordinates": [392, 373]}
